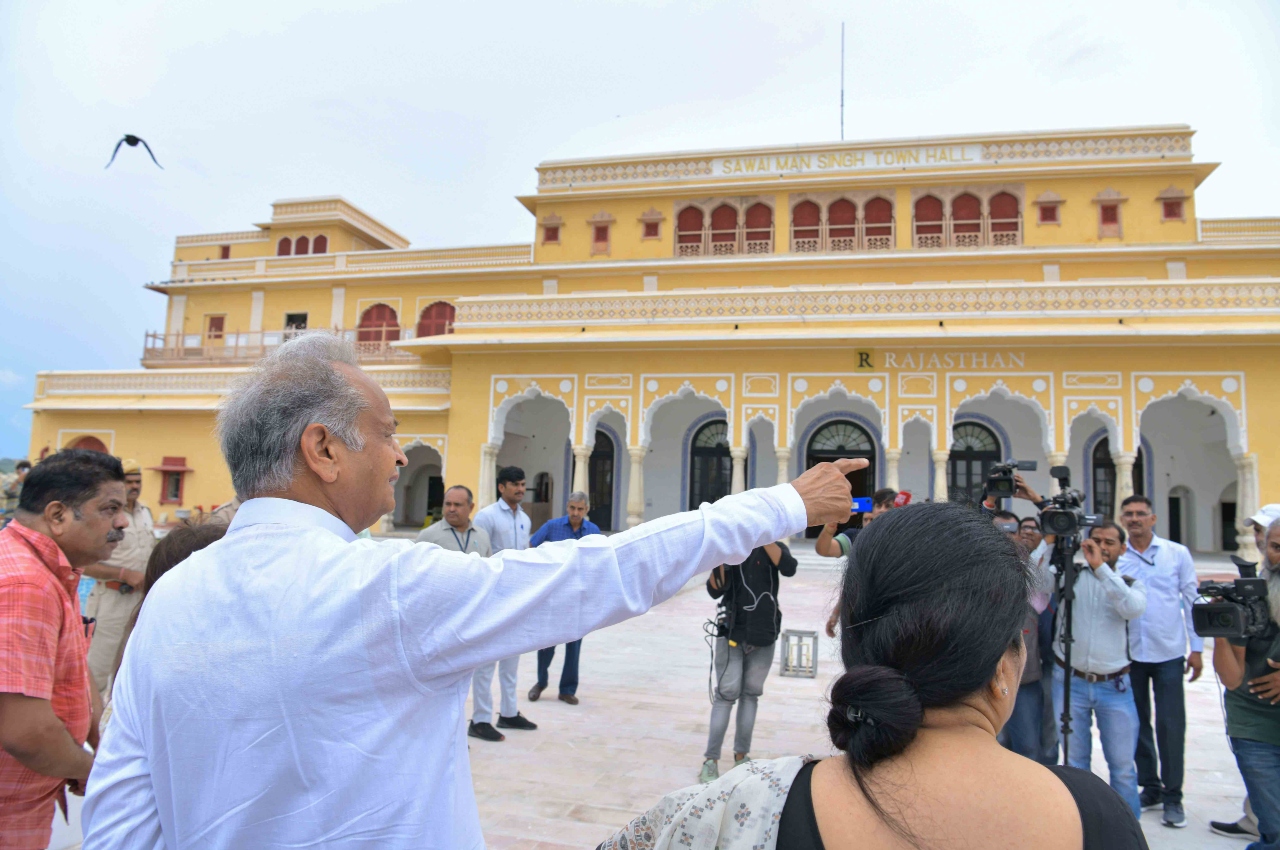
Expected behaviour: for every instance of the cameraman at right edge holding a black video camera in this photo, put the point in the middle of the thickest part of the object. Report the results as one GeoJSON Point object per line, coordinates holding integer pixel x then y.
{"type": "Point", "coordinates": [1246, 666]}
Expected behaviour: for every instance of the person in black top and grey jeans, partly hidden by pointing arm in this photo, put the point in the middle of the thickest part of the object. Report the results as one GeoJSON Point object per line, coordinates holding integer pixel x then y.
{"type": "Point", "coordinates": [744, 651]}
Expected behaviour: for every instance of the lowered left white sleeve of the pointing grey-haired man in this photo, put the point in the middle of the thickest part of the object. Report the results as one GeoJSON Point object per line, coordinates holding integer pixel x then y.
{"type": "Point", "coordinates": [121, 811]}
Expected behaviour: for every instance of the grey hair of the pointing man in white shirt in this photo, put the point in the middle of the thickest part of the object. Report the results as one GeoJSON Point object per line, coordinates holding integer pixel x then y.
{"type": "Point", "coordinates": [262, 421]}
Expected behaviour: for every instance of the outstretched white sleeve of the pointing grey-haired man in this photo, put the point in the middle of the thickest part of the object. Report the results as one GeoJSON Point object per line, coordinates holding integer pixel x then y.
{"type": "Point", "coordinates": [460, 613]}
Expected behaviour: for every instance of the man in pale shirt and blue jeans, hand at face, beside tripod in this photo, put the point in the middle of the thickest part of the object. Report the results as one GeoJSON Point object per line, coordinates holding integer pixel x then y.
{"type": "Point", "coordinates": [1104, 605]}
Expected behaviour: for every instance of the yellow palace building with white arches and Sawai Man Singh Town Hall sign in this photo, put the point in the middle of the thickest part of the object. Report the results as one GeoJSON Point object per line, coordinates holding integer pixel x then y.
{"type": "Point", "coordinates": [689, 325]}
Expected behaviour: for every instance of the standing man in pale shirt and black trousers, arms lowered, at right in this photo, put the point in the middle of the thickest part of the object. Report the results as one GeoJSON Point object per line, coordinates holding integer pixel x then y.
{"type": "Point", "coordinates": [1158, 645]}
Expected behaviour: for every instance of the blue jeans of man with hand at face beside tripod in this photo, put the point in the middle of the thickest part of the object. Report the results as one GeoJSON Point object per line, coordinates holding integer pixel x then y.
{"type": "Point", "coordinates": [1118, 728]}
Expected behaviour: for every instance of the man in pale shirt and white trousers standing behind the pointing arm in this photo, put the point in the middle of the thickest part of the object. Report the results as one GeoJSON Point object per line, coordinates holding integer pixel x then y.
{"type": "Point", "coordinates": [508, 527]}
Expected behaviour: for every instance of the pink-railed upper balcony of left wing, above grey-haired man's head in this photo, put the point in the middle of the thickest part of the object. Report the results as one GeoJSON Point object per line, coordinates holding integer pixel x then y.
{"type": "Point", "coordinates": [373, 346]}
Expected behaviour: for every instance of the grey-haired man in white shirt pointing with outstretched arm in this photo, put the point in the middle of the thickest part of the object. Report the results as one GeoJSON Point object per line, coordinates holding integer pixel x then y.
{"type": "Point", "coordinates": [294, 687]}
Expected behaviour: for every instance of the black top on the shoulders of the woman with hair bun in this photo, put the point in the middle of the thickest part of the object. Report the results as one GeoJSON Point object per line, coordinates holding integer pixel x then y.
{"type": "Point", "coordinates": [1108, 822]}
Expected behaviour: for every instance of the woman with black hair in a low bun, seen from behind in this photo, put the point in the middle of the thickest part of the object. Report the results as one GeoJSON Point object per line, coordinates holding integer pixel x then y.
{"type": "Point", "coordinates": [935, 598]}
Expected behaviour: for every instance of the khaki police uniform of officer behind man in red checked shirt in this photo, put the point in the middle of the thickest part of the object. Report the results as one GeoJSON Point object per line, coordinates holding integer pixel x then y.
{"type": "Point", "coordinates": [112, 604]}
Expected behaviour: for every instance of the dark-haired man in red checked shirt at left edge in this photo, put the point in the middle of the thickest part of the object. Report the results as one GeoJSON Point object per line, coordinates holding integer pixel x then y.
{"type": "Point", "coordinates": [71, 515]}
